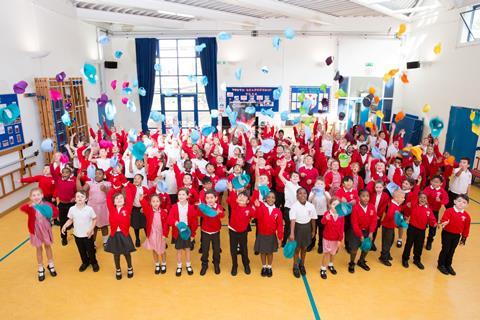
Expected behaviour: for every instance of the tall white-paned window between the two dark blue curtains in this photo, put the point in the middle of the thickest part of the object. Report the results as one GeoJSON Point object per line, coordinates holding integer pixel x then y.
{"type": "Point", "coordinates": [179, 93]}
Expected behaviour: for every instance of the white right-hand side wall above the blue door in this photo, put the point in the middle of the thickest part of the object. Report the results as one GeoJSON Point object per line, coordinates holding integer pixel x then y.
{"type": "Point", "coordinates": [452, 77]}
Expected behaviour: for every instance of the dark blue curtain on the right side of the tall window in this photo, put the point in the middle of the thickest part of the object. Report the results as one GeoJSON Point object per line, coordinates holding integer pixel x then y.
{"type": "Point", "coordinates": [208, 60]}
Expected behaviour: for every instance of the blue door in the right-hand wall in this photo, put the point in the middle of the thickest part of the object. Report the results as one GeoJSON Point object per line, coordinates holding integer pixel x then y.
{"type": "Point", "coordinates": [461, 141]}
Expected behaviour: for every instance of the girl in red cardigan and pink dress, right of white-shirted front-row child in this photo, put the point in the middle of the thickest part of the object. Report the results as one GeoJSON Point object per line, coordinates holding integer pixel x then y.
{"type": "Point", "coordinates": [332, 236]}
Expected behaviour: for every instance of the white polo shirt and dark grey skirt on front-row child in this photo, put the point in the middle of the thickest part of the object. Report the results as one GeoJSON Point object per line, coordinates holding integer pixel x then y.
{"type": "Point", "coordinates": [303, 214]}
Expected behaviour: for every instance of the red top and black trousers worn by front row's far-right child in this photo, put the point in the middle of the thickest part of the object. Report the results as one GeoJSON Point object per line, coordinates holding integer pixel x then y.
{"type": "Point", "coordinates": [457, 228]}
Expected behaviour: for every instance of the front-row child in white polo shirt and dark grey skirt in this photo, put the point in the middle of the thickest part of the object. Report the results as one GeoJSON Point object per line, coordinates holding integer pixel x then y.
{"type": "Point", "coordinates": [302, 226]}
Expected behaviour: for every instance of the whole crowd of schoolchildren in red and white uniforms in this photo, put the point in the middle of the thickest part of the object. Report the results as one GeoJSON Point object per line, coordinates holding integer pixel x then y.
{"type": "Point", "coordinates": [329, 187]}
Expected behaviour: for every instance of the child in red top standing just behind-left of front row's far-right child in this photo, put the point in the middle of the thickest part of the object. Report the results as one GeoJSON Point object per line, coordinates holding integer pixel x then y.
{"type": "Point", "coordinates": [437, 197]}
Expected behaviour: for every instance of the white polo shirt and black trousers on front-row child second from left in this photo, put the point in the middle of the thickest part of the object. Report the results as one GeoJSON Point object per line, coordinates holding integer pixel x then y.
{"type": "Point", "coordinates": [82, 222]}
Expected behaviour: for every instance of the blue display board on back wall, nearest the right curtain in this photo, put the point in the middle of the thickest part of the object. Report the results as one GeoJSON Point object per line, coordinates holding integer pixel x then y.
{"type": "Point", "coordinates": [260, 97]}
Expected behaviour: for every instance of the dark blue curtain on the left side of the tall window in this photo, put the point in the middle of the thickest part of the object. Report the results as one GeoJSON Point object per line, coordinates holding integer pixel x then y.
{"type": "Point", "coordinates": [146, 50]}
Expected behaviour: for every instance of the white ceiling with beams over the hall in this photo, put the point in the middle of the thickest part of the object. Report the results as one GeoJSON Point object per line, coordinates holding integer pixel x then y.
{"type": "Point", "coordinates": [232, 15]}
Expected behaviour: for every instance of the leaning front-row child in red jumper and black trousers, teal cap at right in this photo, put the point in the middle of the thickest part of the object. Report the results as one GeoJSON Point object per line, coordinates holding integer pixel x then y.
{"type": "Point", "coordinates": [388, 226]}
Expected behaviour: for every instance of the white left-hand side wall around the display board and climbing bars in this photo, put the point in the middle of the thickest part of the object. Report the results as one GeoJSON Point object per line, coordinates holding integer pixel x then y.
{"type": "Point", "coordinates": [30, 27]}
